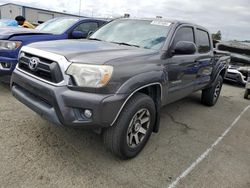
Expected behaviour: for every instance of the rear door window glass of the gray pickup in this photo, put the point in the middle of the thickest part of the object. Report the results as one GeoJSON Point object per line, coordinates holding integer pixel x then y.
{"type": "Point", "coordinates": [203, 41]}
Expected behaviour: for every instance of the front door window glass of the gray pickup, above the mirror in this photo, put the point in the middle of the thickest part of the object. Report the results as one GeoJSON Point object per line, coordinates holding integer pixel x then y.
{"type": "Point", "coordinates": [184, 34]}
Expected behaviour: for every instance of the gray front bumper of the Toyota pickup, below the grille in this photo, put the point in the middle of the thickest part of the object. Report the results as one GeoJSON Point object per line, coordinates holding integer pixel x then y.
{"type": "Point", "coordinates": [63, 106]}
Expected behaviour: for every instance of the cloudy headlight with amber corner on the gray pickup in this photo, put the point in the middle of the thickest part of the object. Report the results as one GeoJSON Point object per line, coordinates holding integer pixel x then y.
{"type": "Point", "coordinates": [94, 76]}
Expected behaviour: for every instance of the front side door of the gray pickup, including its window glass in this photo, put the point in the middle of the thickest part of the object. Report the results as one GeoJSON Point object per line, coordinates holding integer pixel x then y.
{"type": "Point", "coordinates": [181, 68]}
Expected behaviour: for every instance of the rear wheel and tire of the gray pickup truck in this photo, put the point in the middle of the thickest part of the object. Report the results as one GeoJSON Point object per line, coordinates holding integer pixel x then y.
{"type": "Point", "coordinates": [211, 95]}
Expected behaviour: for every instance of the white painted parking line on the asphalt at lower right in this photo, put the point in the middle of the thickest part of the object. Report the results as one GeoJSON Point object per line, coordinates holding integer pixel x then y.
{"type": "Point", "coordinates": [205, 154]}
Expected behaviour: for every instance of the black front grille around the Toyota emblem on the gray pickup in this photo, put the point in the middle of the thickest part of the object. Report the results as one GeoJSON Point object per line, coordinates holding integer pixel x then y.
{"type": "Point", "coordinates": [46, 69]}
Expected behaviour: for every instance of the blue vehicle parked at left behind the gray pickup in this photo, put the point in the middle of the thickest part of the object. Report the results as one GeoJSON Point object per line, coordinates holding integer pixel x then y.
{"type": "Point", "coordinates": [13, 38]}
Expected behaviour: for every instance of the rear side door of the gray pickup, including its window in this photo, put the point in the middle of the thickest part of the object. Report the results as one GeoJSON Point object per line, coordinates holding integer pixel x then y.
{"type": "Point", "coordinates": [205, 61]}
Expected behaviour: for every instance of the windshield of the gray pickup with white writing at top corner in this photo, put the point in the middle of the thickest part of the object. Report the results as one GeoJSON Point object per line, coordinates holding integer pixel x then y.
{"type": "Point", "coordinates": [150, 34]}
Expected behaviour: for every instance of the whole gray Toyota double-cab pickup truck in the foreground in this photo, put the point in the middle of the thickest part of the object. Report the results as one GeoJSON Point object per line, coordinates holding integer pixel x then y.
{"type": "Point", "coordinates": [118, 79]}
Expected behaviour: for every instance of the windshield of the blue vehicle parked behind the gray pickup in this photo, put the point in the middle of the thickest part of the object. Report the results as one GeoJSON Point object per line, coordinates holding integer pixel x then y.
{"type": "Point", "coordinates": [57, 25]}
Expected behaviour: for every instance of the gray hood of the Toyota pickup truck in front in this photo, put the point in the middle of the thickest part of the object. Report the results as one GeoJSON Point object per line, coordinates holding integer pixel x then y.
{"type": "Point", "coordinates": [89, 51]}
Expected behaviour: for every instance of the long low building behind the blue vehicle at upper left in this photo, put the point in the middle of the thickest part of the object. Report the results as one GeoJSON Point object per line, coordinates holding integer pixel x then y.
{"type": "Point", "coordinates": [33, 15]}
